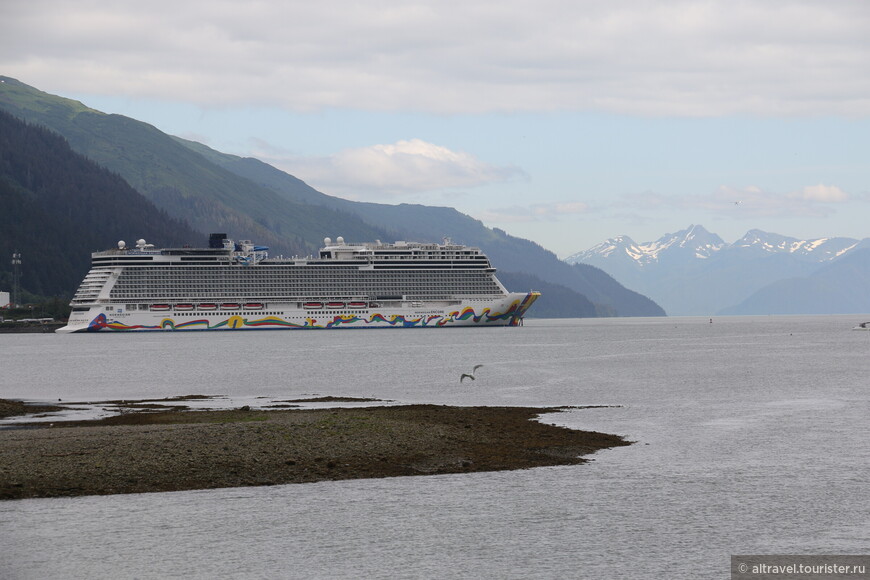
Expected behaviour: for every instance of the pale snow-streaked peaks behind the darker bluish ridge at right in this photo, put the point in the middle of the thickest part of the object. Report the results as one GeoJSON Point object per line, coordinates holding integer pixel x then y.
{"type": "Point", "coordinates": [694, 272]}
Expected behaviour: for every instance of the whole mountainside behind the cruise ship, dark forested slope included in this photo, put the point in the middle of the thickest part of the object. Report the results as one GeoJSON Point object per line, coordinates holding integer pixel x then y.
{"type": "Point", "coordinates": [193, 190]}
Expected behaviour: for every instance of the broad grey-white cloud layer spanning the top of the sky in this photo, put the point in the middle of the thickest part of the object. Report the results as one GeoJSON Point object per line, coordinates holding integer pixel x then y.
{"type": "Point", "coordinates": [675, 58]}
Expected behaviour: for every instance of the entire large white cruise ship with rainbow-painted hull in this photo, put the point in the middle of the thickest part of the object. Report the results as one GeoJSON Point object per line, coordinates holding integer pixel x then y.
{"type": "Point", "coordinates": [237, 286]}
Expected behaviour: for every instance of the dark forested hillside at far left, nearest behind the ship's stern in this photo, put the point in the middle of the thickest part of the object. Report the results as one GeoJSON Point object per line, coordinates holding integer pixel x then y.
{"type": "Point", "coordinates": [58, 207]}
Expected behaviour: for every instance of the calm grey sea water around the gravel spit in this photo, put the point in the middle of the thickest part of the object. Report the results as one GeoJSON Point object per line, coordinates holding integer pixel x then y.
{"type": "Point", "coordinates": [751, 437]}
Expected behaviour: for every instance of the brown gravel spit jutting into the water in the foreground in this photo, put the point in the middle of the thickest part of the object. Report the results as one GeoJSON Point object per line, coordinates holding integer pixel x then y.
{"type": "Point", "coordinates": [180, 450]}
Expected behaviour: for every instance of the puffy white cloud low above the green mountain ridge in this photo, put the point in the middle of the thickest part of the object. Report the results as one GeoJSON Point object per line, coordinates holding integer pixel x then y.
{"type": "Point", "coordinates": [405, 167]}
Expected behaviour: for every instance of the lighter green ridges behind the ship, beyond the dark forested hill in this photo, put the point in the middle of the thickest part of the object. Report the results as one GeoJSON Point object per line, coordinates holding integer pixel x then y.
{"type": "Point", "coordinates": [249, 199]}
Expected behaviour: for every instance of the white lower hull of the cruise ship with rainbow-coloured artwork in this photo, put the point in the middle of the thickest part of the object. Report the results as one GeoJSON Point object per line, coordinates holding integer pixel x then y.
{"type": "Point", "coordinates": [503, 311]}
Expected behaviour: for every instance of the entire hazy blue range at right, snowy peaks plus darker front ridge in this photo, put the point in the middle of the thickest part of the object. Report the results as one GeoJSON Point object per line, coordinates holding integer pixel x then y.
{"type": "Point", "coordinates": [694, 272]}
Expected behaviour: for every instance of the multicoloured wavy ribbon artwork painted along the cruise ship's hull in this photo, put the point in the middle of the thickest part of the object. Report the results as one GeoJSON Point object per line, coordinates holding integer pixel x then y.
{"type": "Point", "coordinates": [511, 316]}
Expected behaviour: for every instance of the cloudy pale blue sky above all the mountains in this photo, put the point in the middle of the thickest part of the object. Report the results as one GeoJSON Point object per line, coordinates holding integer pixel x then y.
{"type": "Point", "coordinates": [566, 122]}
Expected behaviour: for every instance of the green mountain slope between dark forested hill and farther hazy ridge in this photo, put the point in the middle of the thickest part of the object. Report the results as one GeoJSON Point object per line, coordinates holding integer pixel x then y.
{"type": "Point", "coordinates": [178, 179]}
